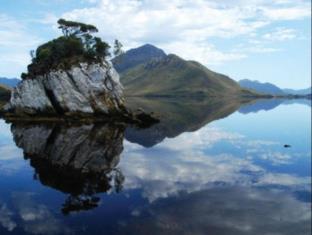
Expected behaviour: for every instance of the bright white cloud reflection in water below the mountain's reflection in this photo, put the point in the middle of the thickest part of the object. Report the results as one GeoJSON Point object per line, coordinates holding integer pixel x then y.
{"type": "Point", "coordinates": [190, 163]}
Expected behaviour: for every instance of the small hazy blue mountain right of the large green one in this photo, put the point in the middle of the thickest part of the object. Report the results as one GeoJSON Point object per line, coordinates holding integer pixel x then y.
{"type": "Point", "coordinates": [265, 88]}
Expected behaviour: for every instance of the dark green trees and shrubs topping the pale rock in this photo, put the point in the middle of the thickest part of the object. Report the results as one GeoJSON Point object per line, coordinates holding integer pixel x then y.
{"type": "Point", "coordinates": [75, 46]}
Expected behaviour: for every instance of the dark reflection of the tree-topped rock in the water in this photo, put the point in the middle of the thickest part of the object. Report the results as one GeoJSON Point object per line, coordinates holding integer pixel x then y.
{"type": "Point", "coordinates": [77, 160]}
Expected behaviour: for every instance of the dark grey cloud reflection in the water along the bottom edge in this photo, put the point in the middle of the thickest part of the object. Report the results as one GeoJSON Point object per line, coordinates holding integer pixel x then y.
{"type": "Point", "coordinates": [224, 210]}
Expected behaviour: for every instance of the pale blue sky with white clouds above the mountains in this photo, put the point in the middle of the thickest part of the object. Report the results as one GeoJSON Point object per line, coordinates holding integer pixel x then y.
{"type": "Point", "coordinates": [264, 40]}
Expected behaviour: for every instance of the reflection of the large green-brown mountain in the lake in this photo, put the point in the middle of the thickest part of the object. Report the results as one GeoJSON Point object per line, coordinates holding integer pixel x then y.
{"type": "Point", "coordinates": [178, 116]}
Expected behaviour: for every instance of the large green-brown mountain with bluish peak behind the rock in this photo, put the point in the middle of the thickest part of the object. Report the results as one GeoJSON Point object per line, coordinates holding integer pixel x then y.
{"type": "Point", "coordinates": [153, 73]}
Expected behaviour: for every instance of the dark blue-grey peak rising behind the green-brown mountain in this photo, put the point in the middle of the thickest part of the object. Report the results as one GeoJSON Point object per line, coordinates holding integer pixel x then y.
{"type": "Point", "coordinates": [137, 56]}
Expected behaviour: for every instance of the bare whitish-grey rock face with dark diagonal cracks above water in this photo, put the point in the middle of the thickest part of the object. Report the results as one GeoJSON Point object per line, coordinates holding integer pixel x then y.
{"type": "Point", "coordinates": [84, 89]}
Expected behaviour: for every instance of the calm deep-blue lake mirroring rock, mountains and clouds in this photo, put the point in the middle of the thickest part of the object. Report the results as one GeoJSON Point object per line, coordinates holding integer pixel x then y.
{"type": "Point", "coordinates": [208, 167]}
